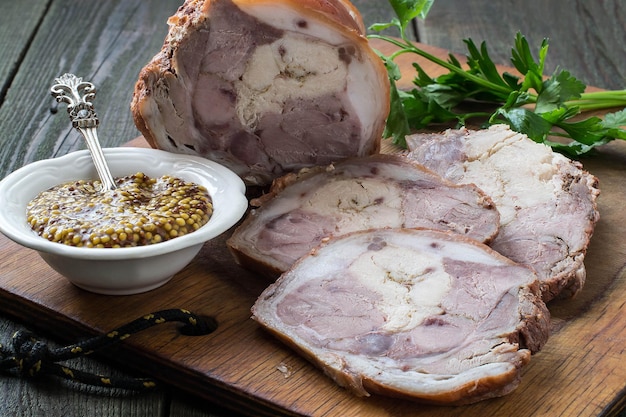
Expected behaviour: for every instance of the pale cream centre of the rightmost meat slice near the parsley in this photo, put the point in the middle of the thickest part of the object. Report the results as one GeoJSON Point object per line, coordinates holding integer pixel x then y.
{"type": "Point", "coordinates": [526, 172]}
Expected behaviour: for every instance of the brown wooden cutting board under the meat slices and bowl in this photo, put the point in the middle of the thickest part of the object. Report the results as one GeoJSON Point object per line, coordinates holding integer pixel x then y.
{"type": "Point", "coordinates": [579, 372]}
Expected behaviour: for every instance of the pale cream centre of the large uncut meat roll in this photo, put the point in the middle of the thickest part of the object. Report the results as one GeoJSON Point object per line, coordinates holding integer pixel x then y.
{"type": "Point", "coordinates": [293, 67]}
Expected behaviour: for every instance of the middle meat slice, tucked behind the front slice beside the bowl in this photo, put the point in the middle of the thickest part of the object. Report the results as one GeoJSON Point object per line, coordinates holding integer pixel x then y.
{"type": "Point", "coordinates": [360, 193]}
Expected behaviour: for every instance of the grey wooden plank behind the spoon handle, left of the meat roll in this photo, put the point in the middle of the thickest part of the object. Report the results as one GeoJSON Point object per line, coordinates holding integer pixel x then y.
{"type": "Point", "coordinates": [74, 37]}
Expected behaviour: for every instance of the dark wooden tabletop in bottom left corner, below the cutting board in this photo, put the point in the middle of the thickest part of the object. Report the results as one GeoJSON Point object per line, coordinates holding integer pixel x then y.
{"type": "Point", "coordinates": [52, 397]}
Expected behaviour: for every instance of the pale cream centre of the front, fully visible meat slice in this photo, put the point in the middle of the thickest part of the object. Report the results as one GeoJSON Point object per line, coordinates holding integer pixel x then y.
{"type": "Point", "coordinates": [414, 284]}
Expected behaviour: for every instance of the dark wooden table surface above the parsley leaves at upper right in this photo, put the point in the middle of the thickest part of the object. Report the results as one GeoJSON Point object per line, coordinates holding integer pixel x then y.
{"type": "Point", "coordinates": [586, 37]}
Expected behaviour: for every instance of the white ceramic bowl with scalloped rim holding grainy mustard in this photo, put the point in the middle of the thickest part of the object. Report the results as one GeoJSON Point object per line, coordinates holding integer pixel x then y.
{"type": "Point", "coordinates": [130, 270]}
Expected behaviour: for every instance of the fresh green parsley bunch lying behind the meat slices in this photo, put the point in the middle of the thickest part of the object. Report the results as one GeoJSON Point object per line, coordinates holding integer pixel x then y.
{"type": "Point", "coordinates": [538, 106]}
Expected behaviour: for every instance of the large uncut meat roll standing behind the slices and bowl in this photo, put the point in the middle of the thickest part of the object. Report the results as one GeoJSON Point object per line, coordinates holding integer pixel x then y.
{"type": "Point", "coordinates": [264, 87]}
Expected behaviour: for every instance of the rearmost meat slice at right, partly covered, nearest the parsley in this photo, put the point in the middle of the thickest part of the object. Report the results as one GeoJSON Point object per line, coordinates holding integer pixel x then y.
{"type": "Point", "coordinates": [547, 202]}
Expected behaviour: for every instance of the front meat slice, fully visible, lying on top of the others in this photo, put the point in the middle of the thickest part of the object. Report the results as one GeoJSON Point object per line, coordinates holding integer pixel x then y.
{"type": "Point", "coordinates": [421, 314]}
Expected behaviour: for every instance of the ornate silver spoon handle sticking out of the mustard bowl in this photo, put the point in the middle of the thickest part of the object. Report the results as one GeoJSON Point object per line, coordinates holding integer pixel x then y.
{"type": "Point", "coordinates": [68, 89]}
